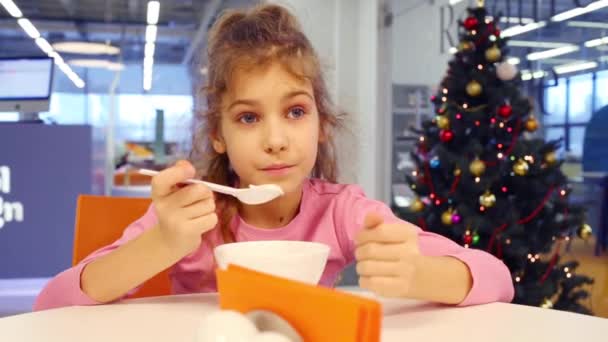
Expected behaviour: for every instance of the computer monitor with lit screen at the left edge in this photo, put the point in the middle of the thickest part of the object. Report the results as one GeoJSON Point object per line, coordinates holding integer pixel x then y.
{"type": "Point", "coordinates": [25, 84]}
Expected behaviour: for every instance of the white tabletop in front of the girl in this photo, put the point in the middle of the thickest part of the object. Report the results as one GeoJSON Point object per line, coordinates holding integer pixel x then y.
{"type": "Point", "coordinates": [175, 319]}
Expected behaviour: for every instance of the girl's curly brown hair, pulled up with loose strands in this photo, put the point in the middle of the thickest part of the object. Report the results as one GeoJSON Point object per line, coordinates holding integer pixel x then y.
{"type": "Point", "coordinates": [239, 41]}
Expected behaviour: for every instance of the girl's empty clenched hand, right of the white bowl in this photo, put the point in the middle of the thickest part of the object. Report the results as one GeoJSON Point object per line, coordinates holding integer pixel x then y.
{"type": "Point", "coordinates": [388, 257]}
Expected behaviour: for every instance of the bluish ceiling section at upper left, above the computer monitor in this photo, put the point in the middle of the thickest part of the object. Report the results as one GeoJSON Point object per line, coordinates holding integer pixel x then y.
{"type": "Point", "coordinates": [121, 23]}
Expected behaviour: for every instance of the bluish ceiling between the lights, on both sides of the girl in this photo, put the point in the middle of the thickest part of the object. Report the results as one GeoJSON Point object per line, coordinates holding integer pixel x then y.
{"type": "Point", "coordinates": [182, 25]}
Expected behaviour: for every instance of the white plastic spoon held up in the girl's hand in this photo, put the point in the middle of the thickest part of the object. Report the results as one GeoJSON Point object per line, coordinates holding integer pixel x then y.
{"type": "Point", "coordinates": [255, 194]}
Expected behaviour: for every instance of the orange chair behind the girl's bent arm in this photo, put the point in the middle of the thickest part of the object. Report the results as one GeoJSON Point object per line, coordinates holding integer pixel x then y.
{"type": "Point", "coordinates": [100, 221]}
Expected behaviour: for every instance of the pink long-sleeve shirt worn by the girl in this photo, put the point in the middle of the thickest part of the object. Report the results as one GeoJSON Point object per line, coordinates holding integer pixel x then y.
{"type": "Point", "coordinates": [329, 213]}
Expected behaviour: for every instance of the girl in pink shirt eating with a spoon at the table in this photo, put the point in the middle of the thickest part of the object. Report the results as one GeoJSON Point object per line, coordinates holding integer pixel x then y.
{"type": "Point", "coordinates": [269, 120]}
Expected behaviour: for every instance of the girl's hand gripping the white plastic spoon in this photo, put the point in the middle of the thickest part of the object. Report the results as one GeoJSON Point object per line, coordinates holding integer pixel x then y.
{"type": "Point", "coordinates": [184, 212]}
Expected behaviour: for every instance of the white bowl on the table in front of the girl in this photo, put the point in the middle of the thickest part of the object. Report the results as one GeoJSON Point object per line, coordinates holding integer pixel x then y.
{"type": "Point", "coordinates": [296, 260]}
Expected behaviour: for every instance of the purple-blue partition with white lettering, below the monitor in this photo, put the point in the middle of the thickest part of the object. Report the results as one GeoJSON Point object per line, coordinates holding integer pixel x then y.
{"type": "Point", "coordinates": [43, 168]}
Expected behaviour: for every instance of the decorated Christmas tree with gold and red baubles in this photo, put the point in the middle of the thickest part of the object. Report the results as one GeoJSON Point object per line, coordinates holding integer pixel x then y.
{"type": "Point", "coordinates": [483, 180]}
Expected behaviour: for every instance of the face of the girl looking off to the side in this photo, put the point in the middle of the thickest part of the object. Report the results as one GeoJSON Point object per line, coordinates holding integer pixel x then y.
{"type": "Point", "coordinates": [269, 127]}
